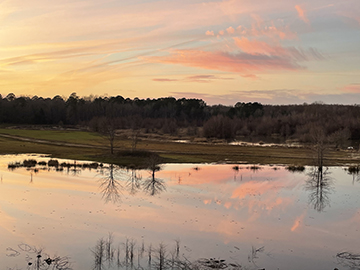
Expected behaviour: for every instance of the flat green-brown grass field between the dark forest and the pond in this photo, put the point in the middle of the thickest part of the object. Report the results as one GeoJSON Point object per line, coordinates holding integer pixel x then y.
{"type": "Point", "coordinates": [91, 146]}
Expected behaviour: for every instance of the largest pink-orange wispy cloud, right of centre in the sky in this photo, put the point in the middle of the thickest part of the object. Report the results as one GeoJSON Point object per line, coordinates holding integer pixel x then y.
{"type": "Point", "coordinates": [262, 53]}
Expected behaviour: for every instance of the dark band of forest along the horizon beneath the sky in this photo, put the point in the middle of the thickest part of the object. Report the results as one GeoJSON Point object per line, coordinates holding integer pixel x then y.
{"type": "Point", "coordinates": [167, 115]}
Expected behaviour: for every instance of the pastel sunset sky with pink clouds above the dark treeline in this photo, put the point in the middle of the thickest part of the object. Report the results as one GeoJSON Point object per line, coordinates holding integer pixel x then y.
{"type": "Point", "coordinates": [222, 51]}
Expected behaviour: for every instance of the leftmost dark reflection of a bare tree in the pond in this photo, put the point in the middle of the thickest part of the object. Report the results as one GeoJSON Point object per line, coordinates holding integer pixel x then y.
{"type": "Point", "coordinates": [110, 185]}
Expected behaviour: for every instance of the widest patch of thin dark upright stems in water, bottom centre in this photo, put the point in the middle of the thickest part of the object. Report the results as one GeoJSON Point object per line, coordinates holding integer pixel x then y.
{"type": "Point", "coordinates": [127, 255]}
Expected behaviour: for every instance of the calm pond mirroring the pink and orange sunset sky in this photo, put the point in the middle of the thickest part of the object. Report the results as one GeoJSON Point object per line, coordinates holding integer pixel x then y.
{"type": "Point", "coordinates": [104, 217]}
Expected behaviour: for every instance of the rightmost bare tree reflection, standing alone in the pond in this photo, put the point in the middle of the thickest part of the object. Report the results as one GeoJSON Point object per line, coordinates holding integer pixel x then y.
{"type": "Point", "coordinates": [320, 186]}
